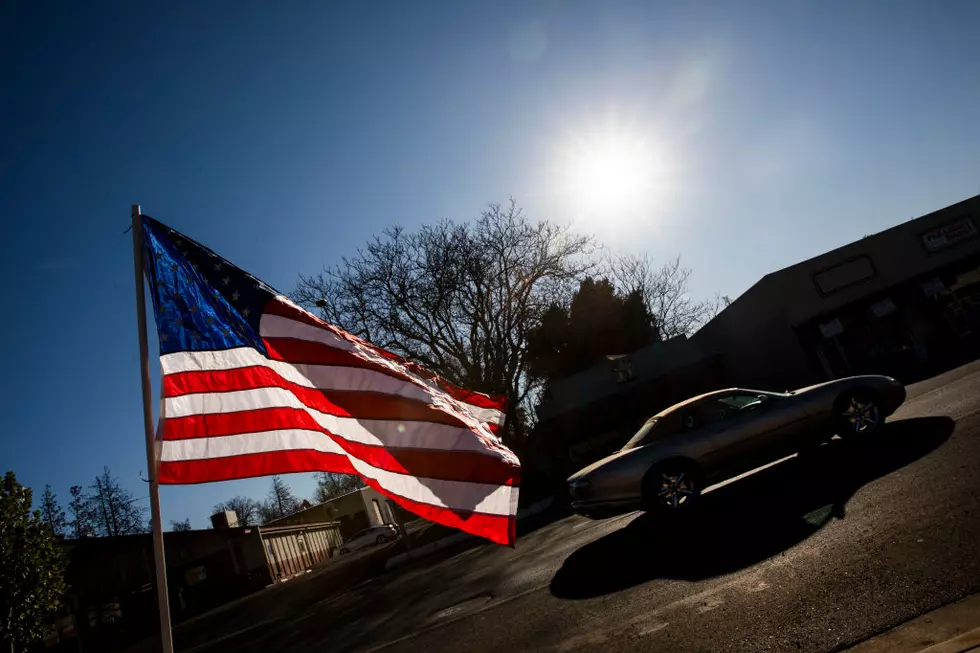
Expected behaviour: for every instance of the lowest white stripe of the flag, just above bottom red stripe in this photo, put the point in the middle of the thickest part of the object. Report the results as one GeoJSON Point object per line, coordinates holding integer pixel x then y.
{"type": "Point", "coordinates": [467, 496]}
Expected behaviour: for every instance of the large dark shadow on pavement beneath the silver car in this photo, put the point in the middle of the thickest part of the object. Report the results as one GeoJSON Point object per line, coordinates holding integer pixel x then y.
{"type": "Point", "coordinates": [750, 520]}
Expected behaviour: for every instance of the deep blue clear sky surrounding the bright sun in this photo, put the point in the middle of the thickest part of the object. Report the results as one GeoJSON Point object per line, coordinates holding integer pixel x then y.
{"type": "Point", "coordinates": [285, 136]}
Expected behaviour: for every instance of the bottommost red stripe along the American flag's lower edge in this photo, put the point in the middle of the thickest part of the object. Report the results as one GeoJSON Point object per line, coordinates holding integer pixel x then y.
{"type": "Point", "coordinates": [496, 528]}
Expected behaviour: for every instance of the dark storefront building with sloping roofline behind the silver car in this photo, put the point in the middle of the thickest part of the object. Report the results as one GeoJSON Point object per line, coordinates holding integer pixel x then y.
{"type": "Point", "coordinates": [903, 302]}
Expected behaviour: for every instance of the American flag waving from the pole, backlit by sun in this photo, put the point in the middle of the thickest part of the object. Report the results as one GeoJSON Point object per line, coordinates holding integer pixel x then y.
{"type": "Point", "coordinates": [254, 385]}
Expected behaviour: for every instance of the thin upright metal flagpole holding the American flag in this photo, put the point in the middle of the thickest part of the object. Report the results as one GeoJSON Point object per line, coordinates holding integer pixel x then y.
{"type": "Point", "coordinates": [166, 636]}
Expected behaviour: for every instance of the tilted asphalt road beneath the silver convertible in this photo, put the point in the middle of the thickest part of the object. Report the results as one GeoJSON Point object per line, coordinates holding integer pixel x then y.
{"type": "Point", "coordinates": [811, 554]}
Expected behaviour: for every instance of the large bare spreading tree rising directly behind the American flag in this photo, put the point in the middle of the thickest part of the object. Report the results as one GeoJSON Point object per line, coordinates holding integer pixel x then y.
{"type": "Point", "coordinates": [458, 298]}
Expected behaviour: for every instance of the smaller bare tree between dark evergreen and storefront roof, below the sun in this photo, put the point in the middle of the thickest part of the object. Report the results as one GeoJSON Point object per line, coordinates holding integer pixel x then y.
{"type": "Point", "coordinates": [665, 291]}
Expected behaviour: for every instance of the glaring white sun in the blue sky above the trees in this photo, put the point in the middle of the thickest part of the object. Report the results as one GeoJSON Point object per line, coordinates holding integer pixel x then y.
{"type": "Point", "coordinates": [614, 171]}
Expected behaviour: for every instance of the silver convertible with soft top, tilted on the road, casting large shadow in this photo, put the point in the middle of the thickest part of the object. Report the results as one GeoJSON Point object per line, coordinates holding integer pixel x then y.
{"type": "Point", "coordinates": [718, 435]}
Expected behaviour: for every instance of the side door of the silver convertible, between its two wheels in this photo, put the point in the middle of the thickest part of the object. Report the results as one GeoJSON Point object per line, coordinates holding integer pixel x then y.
{"type": "Point", "coordinates": [733, 432]}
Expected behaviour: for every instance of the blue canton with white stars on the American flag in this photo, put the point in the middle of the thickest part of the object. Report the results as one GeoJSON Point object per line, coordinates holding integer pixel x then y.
{"type": "Point", "coordinates": [201, 301]}
